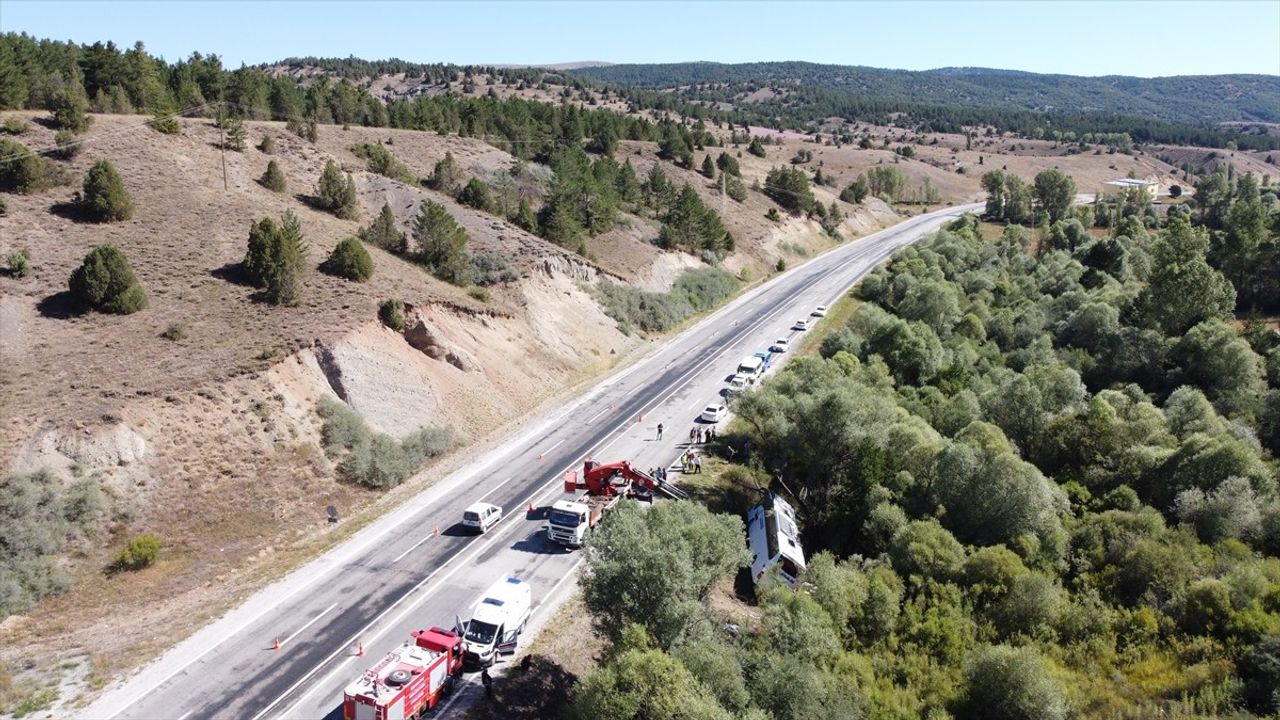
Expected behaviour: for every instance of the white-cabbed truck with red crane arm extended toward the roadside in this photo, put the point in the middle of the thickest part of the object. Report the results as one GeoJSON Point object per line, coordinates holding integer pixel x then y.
{"type": "Point", "coordinates": [570, 521]}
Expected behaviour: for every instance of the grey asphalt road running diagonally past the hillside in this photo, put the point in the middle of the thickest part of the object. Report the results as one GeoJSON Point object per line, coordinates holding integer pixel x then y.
{"type": "Point", "coordinates": [399, 575]}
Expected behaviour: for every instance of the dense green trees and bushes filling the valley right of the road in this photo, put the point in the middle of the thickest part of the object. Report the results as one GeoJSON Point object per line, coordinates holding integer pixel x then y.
{"type": "Point", "coordinates": [1037, 480]}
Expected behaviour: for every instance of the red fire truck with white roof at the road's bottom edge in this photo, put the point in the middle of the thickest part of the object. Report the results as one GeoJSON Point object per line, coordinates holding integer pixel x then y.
{"type": "Point", "coordinates": [409, 681]}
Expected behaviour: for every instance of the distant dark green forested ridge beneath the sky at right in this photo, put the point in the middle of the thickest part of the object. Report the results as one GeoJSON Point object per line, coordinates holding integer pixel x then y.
{"type": "Point", "coordinates": [1185, 99]}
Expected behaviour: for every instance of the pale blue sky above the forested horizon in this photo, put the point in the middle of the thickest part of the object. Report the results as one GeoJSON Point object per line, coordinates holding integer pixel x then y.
{"type": "Point", "coordinates": [1099, 38]}
